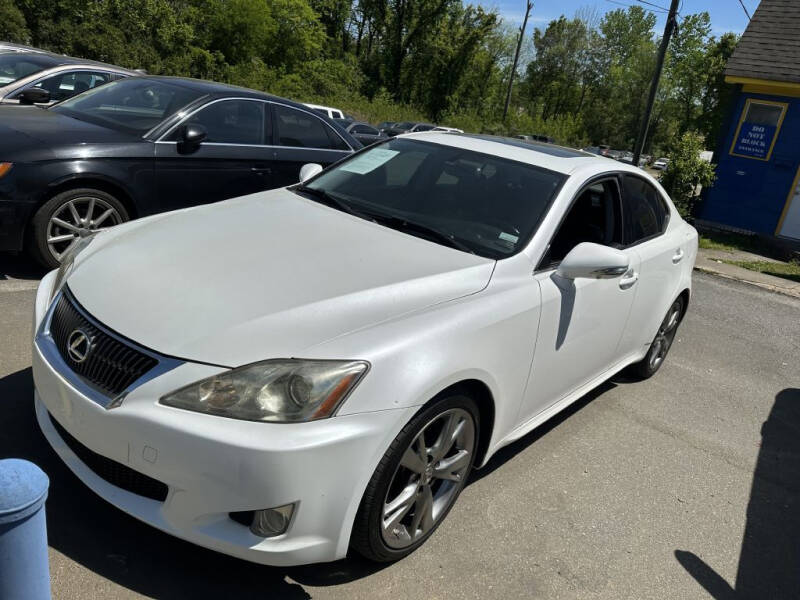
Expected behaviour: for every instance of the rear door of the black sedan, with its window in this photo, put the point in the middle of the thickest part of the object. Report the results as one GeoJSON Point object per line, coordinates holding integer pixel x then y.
{"type": "Point", "coordinates": [301, 137]}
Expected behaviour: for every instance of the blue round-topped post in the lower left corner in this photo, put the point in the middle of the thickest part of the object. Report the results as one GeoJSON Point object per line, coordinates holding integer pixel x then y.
{"type": "Point", "coordinates": [24, 571]}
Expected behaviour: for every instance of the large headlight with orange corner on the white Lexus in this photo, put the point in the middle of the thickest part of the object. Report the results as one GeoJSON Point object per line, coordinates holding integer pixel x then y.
{"type": "Point", "coordinates": [283, 390]}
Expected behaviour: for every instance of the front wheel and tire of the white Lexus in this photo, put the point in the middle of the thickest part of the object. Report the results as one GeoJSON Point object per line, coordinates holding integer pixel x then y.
{"type": "Point", "coordinates": [418, 480]}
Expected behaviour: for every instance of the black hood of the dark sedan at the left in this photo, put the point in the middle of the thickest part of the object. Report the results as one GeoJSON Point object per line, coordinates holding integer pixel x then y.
{"type": "Point", "coordinates": [22, 126]}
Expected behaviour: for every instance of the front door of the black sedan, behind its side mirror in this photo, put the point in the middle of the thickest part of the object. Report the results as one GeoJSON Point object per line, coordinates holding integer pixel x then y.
{"type": "Point", "coordinates": [232, 161]}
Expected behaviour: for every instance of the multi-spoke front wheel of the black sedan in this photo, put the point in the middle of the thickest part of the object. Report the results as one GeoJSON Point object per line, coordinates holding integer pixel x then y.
{"type": "Point", "coordinates": [69, 216]}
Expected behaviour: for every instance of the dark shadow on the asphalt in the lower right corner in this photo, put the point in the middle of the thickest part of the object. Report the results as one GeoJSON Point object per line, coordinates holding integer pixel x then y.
{"type": "Point", "coordinates": [769, 562]}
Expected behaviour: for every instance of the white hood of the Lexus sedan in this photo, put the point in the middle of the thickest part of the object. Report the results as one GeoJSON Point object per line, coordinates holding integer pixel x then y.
{"type": "Point", "coordinates": [262, 276]}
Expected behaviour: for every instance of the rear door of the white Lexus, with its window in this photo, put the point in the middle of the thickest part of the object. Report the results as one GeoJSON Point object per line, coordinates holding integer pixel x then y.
{"type": "Point", "coordinates": [661, 250]}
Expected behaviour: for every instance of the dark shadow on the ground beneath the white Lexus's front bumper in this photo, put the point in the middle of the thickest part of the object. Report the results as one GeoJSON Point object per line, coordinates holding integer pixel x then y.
{"type": "Point", "coordinates": [105, 540]}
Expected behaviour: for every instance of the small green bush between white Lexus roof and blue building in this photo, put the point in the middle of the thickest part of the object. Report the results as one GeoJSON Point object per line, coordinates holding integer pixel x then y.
{"type": "Point", "coordinates": [686, 172]}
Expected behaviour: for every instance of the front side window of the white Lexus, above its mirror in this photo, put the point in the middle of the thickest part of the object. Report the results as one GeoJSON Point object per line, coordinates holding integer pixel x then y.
{"type": "Point", "coordinates": [595, 216]}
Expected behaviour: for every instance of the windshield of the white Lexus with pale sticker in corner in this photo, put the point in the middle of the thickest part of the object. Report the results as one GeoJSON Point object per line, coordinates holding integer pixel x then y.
{"type": "Point", "coordinates": [478, 202]}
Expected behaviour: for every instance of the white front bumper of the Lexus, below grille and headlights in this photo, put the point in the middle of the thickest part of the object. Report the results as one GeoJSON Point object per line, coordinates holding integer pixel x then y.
{"type": "Point", "coordinates": [213, 466]}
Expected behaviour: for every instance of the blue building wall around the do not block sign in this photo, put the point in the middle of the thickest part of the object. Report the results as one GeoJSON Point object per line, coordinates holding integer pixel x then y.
{"type": "Point", "coordinates": [750, 194]}
